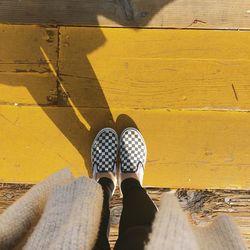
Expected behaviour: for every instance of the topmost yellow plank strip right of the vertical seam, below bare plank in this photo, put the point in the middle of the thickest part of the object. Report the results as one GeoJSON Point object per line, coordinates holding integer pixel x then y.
{"type": "Point", "coordinates": [156, 43]}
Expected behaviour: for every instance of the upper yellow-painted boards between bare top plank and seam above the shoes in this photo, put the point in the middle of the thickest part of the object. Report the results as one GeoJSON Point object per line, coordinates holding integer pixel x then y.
{"type": "Point", "coordinates": [110, 68]}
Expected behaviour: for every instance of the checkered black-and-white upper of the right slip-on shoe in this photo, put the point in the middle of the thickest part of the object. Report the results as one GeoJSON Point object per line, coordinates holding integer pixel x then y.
{"type": "Point", "coordinates": [132, 150]}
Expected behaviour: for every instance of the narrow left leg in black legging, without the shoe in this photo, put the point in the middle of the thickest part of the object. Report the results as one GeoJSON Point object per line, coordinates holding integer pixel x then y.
{"type": "Point", "coordinates": [102, 242]}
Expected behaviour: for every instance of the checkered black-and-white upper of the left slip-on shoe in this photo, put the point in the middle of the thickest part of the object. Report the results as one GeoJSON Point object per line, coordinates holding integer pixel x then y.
{"type": "Point", "coordinates": [104, 151]}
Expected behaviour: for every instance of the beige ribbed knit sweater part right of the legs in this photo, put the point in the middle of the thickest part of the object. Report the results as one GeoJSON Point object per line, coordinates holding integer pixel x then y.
{"type": "Point", "coordinates": [172, 231]}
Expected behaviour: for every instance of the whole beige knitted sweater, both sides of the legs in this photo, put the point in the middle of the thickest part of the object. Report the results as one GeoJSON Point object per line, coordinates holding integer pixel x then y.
{"type": "Point", "coordinates": [64, 213]}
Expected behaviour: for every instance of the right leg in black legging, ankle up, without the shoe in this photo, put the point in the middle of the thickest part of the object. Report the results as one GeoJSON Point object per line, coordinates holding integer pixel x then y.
{"type": "Point", "coordinates": [137, 216]}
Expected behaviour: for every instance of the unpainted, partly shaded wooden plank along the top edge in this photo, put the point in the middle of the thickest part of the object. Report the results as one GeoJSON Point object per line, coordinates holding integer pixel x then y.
{"type": "Point", "coordinates": [208, 14]}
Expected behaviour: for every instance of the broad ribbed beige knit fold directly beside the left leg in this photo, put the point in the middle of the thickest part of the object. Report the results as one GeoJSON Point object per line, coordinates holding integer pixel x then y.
{"type": "Point", "coordinates": [71, 217]}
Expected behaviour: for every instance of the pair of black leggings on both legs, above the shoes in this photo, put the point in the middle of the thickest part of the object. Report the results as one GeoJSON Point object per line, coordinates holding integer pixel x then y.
{"type": "Point", "coordinates": [136, 219]}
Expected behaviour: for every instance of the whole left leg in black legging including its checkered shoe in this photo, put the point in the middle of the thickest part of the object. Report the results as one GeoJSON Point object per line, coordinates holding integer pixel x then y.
{"type": "Point", "coordinates": [103, 158]}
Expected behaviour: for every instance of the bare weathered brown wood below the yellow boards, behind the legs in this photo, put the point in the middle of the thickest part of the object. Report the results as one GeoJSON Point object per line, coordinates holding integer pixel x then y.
{"type": "Point", "coordinates": [200, 206]}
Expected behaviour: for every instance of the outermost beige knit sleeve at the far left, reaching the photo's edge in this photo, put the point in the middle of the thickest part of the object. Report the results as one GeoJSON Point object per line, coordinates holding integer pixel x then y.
{"type": "Point", "coordinates": [19, 218]}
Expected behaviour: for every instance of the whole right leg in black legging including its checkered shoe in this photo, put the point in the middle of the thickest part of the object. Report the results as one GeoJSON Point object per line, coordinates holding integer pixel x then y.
{"type": "Point", "coordinates": [138, 209]}
